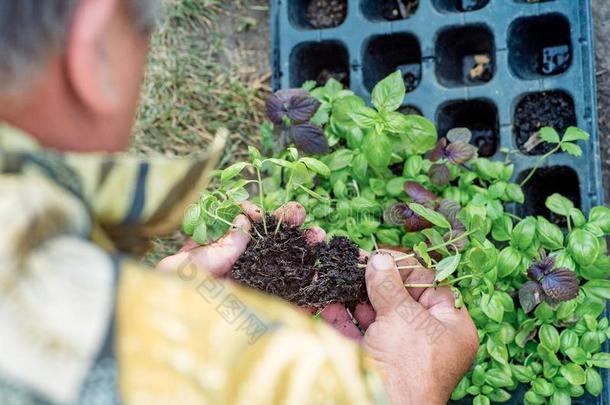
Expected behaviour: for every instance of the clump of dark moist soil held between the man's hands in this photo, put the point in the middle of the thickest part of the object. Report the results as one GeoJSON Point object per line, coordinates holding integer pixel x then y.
{"type": "Point", "coordinates": [286, 265]}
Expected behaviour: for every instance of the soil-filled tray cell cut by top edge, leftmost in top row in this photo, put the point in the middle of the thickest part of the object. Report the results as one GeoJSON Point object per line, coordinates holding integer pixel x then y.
{"type": "Point", "coordinates": [317, 14]}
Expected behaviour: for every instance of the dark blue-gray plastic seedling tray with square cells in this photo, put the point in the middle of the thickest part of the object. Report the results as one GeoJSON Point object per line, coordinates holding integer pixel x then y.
{"type": "Point", "coordinates": [498, 67]}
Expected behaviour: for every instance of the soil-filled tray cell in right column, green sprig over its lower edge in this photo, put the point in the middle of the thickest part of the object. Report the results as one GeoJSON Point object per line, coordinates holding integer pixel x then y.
{"type": "Point", "coordinates": [545, 109]}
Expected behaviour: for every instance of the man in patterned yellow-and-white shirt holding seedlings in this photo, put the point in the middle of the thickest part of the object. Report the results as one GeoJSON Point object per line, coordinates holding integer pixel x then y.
{"type": "Point", "coordinates": [81, 322]}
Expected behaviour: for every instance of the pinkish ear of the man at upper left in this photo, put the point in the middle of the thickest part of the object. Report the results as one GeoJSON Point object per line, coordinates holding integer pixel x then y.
{"type": "Point", "coordinates": [89, 58]}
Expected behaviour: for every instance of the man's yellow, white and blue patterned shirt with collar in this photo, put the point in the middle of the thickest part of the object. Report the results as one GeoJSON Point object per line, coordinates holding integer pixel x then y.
{"type": "Point", "coordinates": [83, 323]}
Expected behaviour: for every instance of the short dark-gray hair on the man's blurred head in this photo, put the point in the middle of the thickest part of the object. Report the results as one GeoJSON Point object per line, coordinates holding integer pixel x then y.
{"type": "Point", "coordinates": [32, 30]}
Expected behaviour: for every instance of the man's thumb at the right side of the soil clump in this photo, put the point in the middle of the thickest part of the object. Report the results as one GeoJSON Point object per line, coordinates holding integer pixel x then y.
{"type": "Point", "coordinates": [384, 285]}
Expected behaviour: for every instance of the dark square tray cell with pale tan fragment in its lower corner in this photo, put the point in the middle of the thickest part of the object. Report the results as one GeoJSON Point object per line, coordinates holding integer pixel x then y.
{"type": "Point", "coordinates": [465, 56]}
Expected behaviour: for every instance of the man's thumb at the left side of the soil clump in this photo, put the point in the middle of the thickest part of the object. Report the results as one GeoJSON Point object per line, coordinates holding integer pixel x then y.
{"type": "Point", "coordinates": [219, 258]}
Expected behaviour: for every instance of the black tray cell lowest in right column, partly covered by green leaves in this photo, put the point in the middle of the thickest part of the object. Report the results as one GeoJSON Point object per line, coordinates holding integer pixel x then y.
{"type": "Point", "coordinates": [547, 181]}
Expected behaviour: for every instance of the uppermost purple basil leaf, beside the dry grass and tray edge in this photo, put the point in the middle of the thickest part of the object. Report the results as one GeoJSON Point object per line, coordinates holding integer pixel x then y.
{"type": "Point", "coordinates": [295, 104]}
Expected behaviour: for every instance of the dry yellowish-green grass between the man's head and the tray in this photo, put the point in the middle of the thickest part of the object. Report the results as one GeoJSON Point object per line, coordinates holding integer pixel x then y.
{"type": "Point", "coordinates": [208, 69]}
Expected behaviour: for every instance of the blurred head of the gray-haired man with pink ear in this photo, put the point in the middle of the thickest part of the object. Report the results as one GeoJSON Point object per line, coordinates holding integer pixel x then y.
{"type": "Point", "coordinates": [70, 70]}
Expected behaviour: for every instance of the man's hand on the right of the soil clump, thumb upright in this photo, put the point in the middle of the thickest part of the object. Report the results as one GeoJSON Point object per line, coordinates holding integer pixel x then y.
{"type": "Point", "coordinates": [420, 342]}
